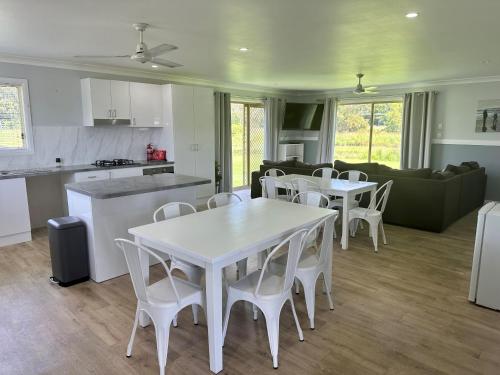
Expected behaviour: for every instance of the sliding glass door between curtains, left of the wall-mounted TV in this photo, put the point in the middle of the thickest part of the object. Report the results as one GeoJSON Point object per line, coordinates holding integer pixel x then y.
{"type": "Point", "coordinates": [247, 128]}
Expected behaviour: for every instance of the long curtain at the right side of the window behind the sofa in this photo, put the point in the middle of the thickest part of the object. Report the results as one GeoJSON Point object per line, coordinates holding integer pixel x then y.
{"type": "Point", "coordinates": [418, 115]}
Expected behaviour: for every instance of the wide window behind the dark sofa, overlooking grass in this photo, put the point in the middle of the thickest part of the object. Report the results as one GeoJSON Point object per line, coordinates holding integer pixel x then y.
{"type": "Point", "coordinates": [369, 132]}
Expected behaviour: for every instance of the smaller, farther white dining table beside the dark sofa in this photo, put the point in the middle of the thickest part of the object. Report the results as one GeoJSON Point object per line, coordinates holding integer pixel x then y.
{"type": "Point", "coordinates": [337, 187]}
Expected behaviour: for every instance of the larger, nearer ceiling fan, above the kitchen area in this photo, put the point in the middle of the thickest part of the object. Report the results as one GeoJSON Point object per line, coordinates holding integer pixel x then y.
{"type": "Point", "coordinates": [142, 53]}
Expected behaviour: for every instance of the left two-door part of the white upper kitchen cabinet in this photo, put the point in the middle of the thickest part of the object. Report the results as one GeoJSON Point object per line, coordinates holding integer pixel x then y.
{"type": "Point", "coordinates": [105, 102]}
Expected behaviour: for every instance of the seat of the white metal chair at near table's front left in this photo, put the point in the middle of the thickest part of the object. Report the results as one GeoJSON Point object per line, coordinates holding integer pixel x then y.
{"type": "Point", "coordinates": [162, 292]}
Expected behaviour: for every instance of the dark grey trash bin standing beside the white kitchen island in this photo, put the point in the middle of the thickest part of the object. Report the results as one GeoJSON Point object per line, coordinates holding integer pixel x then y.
{"type": "Point", "coordinates": [68, 250]}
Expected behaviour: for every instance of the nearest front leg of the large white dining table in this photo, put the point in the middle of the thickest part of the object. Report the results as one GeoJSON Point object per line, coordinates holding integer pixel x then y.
{"type": "Point", "coordinates": [213, 276]}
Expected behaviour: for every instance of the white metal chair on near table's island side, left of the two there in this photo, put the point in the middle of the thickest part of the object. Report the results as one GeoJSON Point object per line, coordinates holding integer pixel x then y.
{"type": "Point", "coordinates": [192, 272]}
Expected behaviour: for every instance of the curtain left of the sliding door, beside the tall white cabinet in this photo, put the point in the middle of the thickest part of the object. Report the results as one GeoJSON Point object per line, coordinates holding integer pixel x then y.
{"type": "Point", "coordinates": [223, 147]}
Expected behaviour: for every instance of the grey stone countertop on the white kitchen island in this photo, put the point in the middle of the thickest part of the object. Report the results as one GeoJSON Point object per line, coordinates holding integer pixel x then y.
{"type": "Point", "coordinates": [119, 187]}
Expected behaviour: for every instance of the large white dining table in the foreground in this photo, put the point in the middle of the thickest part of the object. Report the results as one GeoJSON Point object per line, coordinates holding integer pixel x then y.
{"type": "Point", "coordinates": [220, 237]}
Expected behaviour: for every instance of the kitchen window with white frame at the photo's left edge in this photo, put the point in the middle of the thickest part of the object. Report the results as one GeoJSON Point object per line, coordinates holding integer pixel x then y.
{"type": "Point", "coordinates": [15, 119]}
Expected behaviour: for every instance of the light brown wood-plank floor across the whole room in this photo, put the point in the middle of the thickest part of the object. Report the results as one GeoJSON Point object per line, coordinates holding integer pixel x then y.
{"type": "Point", "coordinates": [402, 311]}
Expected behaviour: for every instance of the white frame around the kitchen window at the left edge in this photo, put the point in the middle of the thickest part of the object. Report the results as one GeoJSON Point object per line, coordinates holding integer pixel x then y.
{"type": "Point", "coordinates": [28, 148]}
